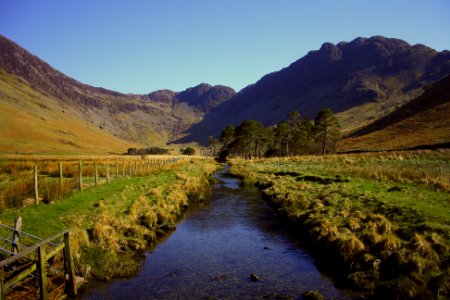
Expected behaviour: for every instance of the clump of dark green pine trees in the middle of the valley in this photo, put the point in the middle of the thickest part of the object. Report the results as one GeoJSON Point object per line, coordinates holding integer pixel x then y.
{"type": "Point", "coordinates": [297, 135]}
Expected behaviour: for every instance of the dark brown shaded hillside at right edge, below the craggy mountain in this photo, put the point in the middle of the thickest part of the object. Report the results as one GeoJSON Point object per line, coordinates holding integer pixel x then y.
{"type": "Point", "coordinates": [422, 122]}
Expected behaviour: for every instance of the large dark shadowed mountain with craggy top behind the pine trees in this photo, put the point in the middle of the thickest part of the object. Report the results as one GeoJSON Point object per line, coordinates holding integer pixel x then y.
{"type": "Point", "coordinates": [360, 81]}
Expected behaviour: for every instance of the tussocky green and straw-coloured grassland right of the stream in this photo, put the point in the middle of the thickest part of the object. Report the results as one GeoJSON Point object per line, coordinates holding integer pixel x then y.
{"type": "Point", "coordinates": [380, 222]}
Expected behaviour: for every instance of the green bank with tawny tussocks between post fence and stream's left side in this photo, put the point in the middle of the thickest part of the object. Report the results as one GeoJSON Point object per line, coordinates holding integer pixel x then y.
{"type": "Point", "coordinates": [113, 224]}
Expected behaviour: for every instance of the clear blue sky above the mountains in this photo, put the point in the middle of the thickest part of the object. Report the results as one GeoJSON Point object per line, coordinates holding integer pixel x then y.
{"type": "Point", "coordinates": [145, 45]}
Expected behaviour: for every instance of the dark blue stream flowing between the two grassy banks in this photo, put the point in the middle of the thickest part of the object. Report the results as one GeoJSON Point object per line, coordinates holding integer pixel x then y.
{"type": "Point", "coordinates": [214, 250]}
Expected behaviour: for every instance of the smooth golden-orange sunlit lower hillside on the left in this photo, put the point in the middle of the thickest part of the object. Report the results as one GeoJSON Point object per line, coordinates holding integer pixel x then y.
{"type": "Point", "coordinates": [31, 122]}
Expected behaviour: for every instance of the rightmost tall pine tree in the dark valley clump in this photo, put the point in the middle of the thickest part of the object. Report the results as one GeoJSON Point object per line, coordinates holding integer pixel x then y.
{"type": "Point", "coordinates": [326, 129]}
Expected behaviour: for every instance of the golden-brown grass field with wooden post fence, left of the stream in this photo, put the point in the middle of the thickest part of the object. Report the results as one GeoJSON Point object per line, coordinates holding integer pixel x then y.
{"type": "Point", "coordinates": [27, 181]}
